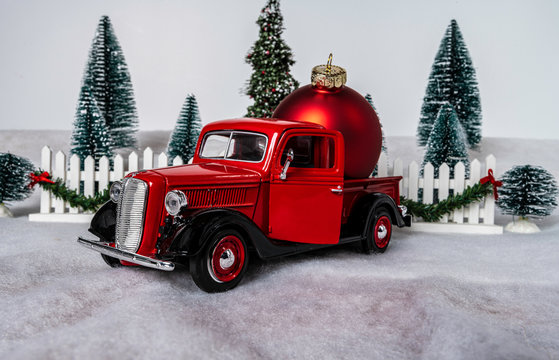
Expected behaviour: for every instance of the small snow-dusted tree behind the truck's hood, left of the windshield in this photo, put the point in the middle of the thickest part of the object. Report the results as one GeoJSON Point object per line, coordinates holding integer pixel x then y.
{"type": "Point", "coordinates": [184, 137]}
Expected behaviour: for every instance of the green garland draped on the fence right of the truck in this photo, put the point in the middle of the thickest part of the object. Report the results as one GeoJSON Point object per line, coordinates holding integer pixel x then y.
{"type": "Point", "coordinates": [434, 212]}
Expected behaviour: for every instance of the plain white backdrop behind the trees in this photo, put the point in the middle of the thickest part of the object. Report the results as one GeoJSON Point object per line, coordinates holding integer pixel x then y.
{"type": "Point", "coordinates": [177, 47]}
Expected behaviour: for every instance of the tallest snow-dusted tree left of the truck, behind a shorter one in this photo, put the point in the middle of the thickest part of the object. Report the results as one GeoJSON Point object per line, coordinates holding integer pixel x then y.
{"type": "Point", "coordinates": [106, 74]}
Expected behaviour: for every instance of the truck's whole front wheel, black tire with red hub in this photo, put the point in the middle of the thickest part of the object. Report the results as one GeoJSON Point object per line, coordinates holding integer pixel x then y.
{"type": "Point", "coordinates": [221, 264]}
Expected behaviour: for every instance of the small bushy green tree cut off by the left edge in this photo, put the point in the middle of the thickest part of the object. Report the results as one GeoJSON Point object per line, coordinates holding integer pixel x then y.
{"type": "Point", "coordinates": [14, 177]}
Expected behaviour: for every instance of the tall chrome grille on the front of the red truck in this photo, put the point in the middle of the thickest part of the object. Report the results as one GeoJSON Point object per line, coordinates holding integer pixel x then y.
{"type": "Point", "coordinates": [130, 214]}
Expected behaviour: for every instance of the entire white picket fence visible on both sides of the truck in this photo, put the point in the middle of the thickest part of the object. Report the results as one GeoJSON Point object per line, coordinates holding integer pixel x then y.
{"type": "Point", "coordinates": [477, 218]}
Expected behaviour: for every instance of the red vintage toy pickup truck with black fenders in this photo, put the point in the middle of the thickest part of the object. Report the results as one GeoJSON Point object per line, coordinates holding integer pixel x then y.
{"type": "Point", "coordinates": [267, 188]}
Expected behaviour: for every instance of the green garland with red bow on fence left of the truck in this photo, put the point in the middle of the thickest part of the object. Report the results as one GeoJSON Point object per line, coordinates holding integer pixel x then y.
{"type": "Point", "coordinates": [60, 191]}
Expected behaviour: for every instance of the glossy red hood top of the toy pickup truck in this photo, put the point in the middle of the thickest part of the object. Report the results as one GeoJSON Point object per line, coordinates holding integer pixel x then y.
{"type": "Point", "coordinates": [206, 174]}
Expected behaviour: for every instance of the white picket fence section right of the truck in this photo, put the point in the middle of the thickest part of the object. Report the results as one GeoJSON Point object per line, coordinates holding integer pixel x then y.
{"type": "Point", "coordinates": [478, 217]}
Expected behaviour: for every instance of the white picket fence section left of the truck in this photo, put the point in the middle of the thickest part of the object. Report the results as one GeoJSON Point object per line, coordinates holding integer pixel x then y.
{"type": "Point", "coordinates": [56, 210]}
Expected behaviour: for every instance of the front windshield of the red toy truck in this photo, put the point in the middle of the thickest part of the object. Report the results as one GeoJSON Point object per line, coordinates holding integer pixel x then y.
{"type": "Point", "coordinates": [234, 145]}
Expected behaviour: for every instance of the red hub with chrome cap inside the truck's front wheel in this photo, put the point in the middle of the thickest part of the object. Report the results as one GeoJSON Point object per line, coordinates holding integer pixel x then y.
{"type": "Point", "coordinates": [227, 259]}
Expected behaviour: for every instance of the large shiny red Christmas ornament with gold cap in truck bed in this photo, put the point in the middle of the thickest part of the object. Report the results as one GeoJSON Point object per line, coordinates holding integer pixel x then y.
{"type": "Point", "coordinates": [328, 102]}
